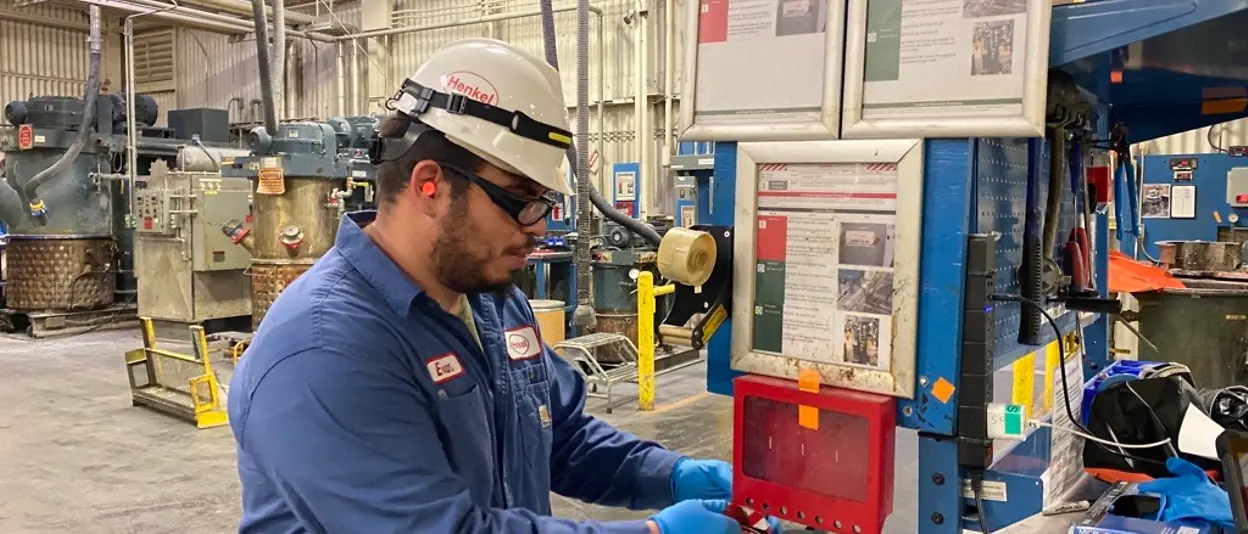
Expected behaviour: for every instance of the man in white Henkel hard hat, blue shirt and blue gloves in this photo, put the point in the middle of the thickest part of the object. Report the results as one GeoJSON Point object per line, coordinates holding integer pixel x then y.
{"type": "Point", "coordinates": [401, 385]}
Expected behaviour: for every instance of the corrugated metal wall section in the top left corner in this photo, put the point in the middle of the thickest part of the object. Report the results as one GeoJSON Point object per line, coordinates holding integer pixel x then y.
{"type": "Point", "coordinates": [43, 52]}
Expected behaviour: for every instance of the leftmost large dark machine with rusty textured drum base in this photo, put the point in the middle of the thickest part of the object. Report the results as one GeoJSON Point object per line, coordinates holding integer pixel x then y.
{"type": "Point", "coordinates": [71, 259]}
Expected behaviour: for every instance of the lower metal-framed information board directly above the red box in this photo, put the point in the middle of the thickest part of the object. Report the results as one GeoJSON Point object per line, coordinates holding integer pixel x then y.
{"type": "Point", "coordinates": [827, 255]}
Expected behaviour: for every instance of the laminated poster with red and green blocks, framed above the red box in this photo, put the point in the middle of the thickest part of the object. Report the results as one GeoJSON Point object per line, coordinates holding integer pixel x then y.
{"type": "Point", "coordinates": [824, 263]}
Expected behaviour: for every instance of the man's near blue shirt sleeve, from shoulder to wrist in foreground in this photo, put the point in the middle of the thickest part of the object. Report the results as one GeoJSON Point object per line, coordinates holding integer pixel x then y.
{"type": "Point", "coordinates": [353, 449]}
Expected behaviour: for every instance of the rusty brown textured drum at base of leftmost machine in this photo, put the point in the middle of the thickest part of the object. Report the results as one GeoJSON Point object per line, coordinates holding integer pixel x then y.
{"type": "Point", "coordinates": [61, 273]}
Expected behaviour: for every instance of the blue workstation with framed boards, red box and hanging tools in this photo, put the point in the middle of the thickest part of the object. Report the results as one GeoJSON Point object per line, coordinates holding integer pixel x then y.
{"type": "Point", "coordinates": [923, 264]}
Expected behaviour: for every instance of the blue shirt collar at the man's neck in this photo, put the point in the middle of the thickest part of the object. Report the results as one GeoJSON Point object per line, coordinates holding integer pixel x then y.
{"type": "Point", "coordinates": [397, 289]}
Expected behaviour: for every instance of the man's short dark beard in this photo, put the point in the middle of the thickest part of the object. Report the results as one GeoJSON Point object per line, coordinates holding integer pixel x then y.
{"type": "Point", "coordinates": [455, 265]}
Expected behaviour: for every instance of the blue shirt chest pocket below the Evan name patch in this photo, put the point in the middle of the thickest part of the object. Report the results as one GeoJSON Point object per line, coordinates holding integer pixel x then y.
{"type": "Point", "coordinates": [469, 442]}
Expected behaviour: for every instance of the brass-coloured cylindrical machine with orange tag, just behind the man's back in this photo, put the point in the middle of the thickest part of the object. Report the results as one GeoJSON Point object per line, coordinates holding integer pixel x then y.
{"type": "Point", "coordinates": [300, 183]}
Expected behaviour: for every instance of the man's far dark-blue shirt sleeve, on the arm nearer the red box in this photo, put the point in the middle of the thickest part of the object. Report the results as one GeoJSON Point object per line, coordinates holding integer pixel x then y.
{"type": "Point", "coordinates": [597, 464]}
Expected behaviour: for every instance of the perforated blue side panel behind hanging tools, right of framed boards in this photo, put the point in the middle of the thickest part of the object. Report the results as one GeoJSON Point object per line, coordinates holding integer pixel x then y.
{"type": "Point", "coordinates": [1002, 180]}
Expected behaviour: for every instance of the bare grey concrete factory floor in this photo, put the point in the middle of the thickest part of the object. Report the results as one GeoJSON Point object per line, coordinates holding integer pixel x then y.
{"type": "Point", "coordinates": [76, 456]}
